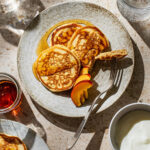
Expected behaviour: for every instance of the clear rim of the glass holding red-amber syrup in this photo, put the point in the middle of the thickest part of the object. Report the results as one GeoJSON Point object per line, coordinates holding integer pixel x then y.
{"type": "Point", "coordinates": [19, 92]}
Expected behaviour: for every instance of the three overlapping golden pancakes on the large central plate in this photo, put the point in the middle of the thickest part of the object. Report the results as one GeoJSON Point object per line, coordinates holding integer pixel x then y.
{"type": "Point", "coordinates": [72, 46]}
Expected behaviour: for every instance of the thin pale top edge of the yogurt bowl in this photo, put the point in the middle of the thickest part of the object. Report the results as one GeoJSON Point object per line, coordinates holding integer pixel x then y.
{"type": "Point", "coordinates": [118, 112]}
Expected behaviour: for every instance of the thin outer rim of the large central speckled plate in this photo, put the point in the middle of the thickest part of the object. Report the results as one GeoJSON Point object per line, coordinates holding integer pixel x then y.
{"type": "Point", "coordinates": [75, 2]}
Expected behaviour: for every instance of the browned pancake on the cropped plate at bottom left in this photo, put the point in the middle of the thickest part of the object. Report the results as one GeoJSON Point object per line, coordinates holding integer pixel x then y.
{"type": "Point", "coordinates": [11, 143]}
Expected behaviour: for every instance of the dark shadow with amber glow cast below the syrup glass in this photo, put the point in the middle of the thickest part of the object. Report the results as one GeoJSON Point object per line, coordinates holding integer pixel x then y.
{"type": "Point", "coordinates": [25, 115]}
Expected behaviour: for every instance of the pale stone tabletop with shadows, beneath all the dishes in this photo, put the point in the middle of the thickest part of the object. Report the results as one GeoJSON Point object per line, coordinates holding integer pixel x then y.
{"type": "Point", "coordinates": [57, 130]}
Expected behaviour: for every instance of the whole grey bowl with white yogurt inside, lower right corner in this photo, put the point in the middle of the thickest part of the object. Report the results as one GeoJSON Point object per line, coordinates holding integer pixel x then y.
{"type": "Point", "coordinates": [130, 128]}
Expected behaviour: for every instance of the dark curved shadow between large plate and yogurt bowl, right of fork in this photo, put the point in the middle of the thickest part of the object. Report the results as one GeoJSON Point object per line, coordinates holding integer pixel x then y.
{"type": "Point", "coordinates": [131, 95]}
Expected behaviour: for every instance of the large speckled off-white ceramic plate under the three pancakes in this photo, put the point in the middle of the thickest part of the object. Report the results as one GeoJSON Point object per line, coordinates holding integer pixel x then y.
{"type": "Point", "coordinates": [61, 103]}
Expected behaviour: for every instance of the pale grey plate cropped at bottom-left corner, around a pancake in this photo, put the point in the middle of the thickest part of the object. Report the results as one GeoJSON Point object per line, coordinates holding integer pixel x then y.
{"type": "Point", "coordinates": [27, 135]}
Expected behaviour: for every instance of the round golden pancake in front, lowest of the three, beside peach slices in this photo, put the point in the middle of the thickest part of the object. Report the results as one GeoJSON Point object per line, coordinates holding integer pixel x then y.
{"type": "Point", "coordinates": [57, 68]}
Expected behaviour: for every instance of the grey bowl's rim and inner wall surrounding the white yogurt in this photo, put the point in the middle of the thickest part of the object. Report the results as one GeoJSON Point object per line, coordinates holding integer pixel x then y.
{"type": "Point", "coordinates": [120, 114]}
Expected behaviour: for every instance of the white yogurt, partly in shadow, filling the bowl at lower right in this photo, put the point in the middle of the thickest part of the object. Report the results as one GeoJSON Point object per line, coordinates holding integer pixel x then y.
{"type": "Point", "coordinates": [133, 131]}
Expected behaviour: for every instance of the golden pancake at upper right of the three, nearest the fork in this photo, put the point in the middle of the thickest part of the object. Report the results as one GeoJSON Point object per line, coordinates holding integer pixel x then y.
{"type": "Point", "coordinates": [86, 43]}
